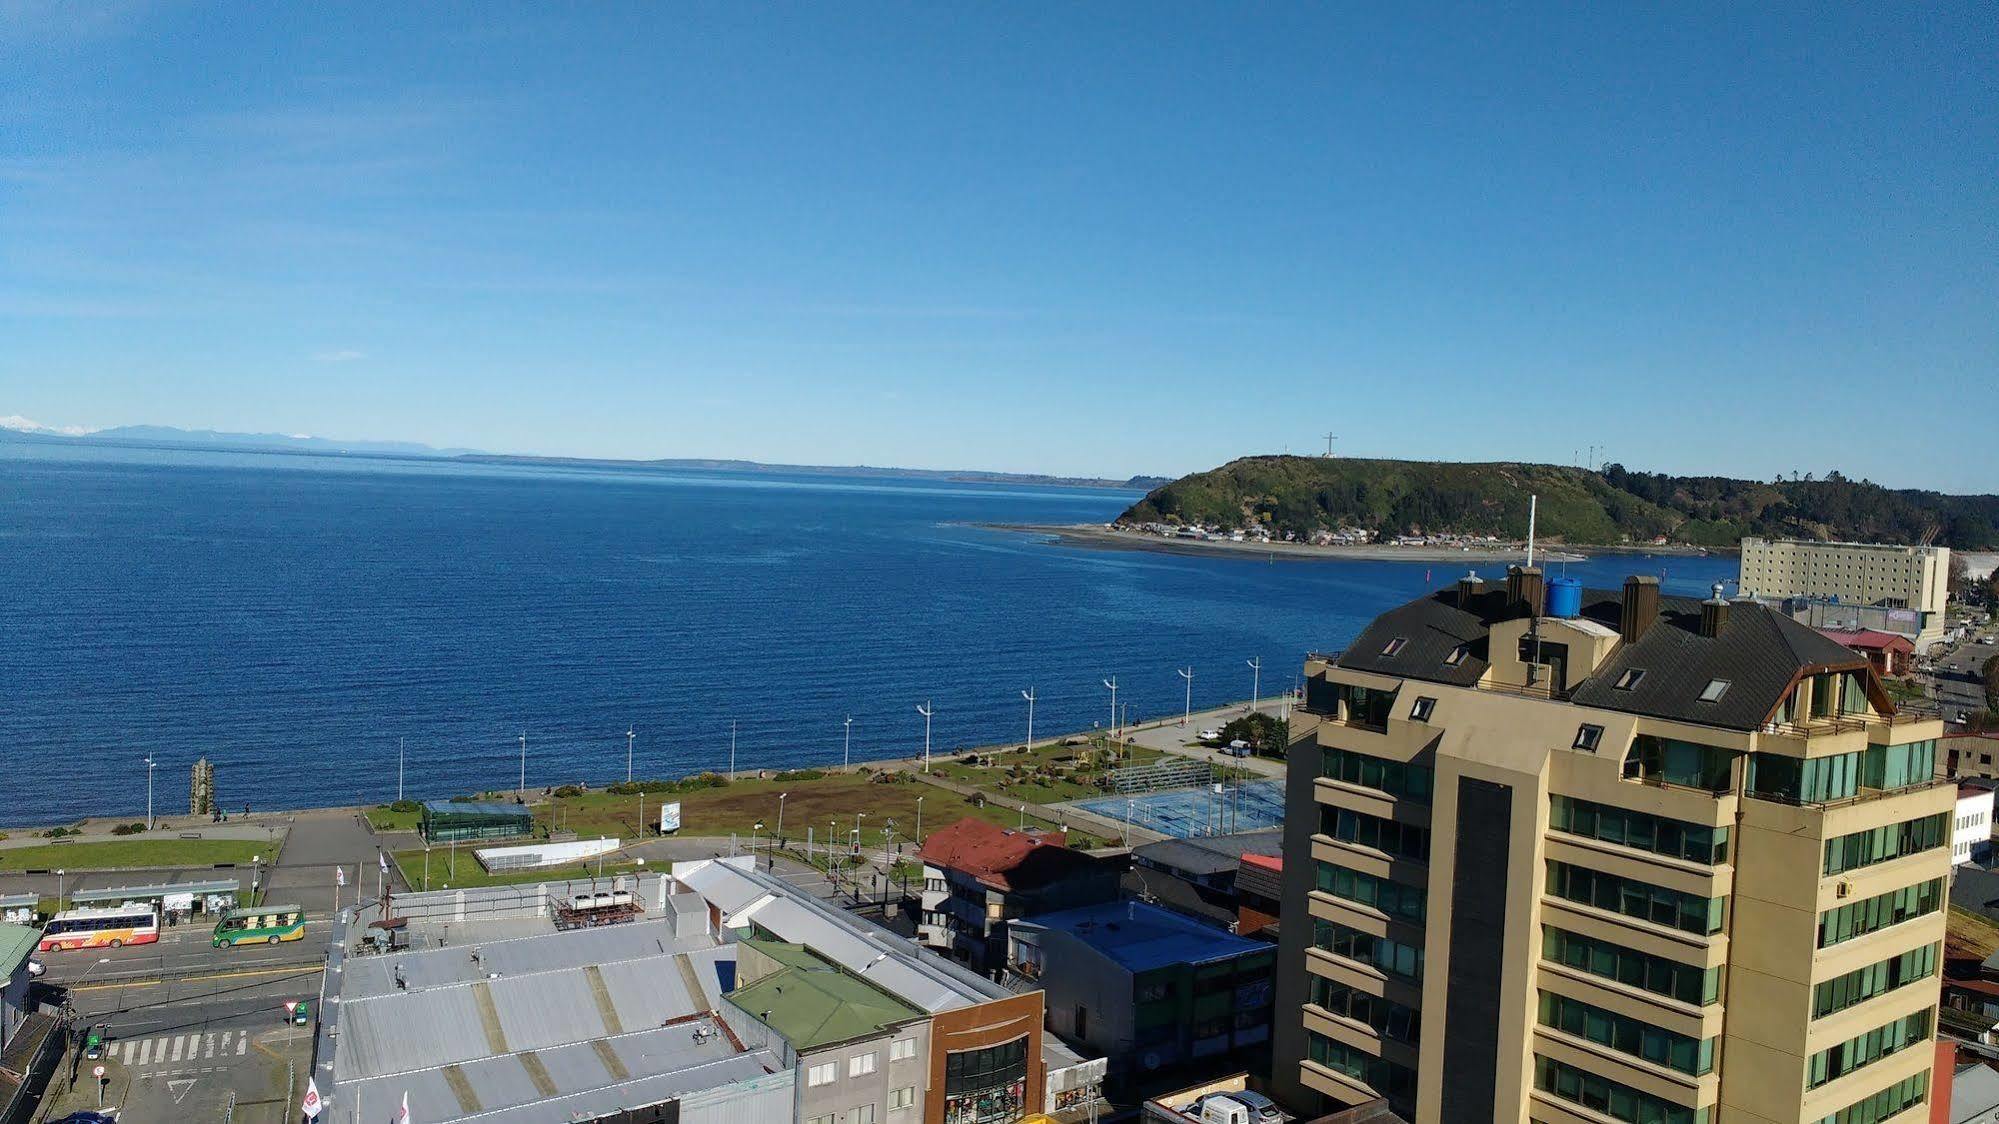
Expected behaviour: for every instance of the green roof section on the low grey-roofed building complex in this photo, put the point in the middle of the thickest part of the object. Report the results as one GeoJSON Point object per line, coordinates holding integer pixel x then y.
{"type": "Point", "coordinates": [813, 1003]}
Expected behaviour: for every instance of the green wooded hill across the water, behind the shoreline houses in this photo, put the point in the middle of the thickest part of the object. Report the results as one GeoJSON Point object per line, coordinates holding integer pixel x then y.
{"type": "Point", "coordinates": [1302, 495]}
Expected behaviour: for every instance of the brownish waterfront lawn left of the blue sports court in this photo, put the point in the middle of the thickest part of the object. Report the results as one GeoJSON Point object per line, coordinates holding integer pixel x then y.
{"type": "Point", "coordinates": [817, 803]}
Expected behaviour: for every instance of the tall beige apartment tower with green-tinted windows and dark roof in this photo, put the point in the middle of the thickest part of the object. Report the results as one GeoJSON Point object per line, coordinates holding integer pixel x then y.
{"type": "Point", "coordinates": [1574, 857]}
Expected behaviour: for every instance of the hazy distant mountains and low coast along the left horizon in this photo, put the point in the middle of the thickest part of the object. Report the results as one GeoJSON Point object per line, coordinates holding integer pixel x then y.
{"type": "Point", "coordinates": [169, 437]}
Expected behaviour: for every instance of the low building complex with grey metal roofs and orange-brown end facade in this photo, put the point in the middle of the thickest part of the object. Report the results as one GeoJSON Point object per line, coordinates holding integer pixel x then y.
{"type": "Point", "coordinates": [717, 993]}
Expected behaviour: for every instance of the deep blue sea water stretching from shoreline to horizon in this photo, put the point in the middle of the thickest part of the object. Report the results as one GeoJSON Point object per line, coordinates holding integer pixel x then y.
{"type": "Point", "coordinates": [293, 617]}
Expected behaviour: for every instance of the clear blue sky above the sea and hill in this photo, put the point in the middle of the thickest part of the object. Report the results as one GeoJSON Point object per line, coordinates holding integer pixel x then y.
{"type": "Point", "coordinates": [1094, 239]}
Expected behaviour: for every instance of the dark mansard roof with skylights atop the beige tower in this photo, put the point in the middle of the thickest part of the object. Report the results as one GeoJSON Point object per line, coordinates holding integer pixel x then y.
{"type": "Point", "coordinates": [1758, 653]}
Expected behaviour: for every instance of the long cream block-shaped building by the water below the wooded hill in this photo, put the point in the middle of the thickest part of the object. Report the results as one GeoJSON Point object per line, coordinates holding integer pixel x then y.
{"type": "Point", "coordinates": [1880, 585]}
